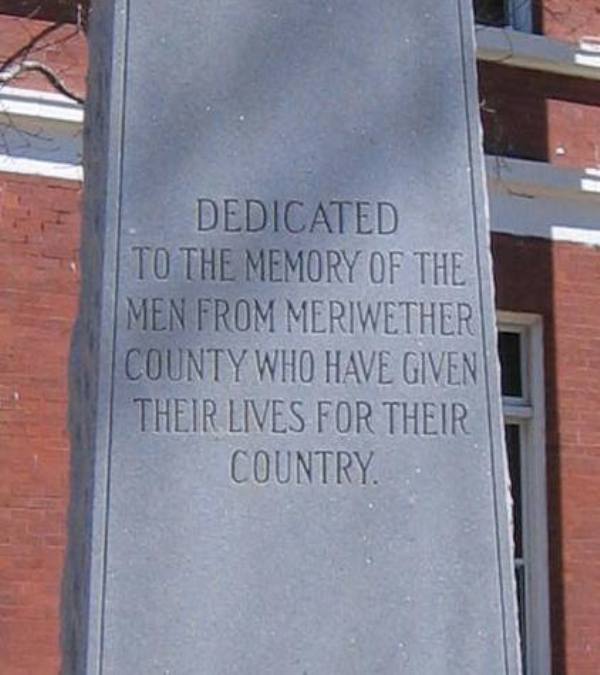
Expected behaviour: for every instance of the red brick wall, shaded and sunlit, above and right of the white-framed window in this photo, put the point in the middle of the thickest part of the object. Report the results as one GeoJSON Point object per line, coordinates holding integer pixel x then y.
{"type": "Point", "coordinates": [562, 283]}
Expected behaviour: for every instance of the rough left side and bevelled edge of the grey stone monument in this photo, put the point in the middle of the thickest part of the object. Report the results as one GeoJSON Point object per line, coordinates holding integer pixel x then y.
{"type": "Point", "coordinates": [90, 386]}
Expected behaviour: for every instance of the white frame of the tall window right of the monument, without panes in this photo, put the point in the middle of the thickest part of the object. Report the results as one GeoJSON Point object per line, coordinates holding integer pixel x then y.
{"type": "Point", "coordinates": [528, 412]}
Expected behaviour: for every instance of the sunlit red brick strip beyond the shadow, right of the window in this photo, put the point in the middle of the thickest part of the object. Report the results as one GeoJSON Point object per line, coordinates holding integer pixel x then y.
{"type": "Point", "coordinates": [577, 360]}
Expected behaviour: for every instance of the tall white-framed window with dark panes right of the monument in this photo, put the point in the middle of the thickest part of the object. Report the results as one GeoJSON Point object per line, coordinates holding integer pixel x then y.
{"type": "Point", "coordinates": [520, 349]}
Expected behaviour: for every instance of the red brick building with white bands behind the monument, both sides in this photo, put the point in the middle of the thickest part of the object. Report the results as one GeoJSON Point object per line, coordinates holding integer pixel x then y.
{"type": "Point", "coordinates": [540, 93]}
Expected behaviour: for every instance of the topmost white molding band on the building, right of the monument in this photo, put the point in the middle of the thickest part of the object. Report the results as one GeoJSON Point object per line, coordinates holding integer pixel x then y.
{"type": "Point", "coordinates": [537, 52]}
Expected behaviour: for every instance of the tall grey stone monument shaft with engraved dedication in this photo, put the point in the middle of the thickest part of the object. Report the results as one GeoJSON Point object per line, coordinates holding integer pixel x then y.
{"type": "Point", "coordinates": [296, 435]}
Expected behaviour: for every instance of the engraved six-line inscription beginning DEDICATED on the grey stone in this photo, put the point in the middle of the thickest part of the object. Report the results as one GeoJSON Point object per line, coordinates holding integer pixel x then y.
{"type": "Point", "coordinates": [276, 283]}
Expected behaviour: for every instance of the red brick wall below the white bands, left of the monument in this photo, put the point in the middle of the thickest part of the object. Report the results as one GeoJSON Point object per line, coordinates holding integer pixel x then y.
{"type": "Point", "coordinates": [39, 229]}
